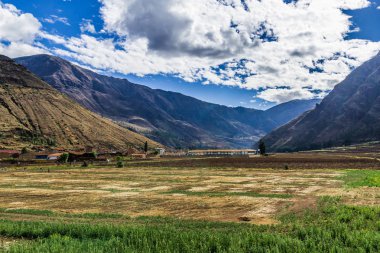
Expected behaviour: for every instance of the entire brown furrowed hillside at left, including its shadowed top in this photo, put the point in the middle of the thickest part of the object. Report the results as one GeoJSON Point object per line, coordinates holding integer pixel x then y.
{"type": "Point", "coordinates": [31, 112]}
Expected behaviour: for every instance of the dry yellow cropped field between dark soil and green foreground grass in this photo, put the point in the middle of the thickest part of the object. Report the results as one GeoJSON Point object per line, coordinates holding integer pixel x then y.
{"type": "Point", "coordinates": [191, 193]}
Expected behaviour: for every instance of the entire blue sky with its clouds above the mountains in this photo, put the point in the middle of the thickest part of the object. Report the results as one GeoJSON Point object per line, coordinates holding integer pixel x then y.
{"type": "Point", "coordinates": [236, 53]}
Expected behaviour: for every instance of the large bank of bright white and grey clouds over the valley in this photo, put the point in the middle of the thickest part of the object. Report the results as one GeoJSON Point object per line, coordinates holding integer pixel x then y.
{"type": "Point", "coordinates": [285, 50]}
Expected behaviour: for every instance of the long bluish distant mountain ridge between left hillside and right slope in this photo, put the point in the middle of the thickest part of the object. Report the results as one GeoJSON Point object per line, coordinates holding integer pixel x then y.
{"type": "Point", "coordinates": [170, 118]}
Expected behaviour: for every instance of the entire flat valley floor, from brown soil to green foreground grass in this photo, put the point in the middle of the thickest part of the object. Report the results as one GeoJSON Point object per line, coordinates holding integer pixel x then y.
{"type": "Point", "coordinates": [315, 202]}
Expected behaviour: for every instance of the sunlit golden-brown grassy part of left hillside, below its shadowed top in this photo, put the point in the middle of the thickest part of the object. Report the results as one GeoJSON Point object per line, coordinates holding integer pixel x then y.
{"type": "Point", "coordinates": [55, 116]}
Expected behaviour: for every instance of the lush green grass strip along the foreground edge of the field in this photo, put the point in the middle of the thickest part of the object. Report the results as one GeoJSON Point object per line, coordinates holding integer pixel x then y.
{"type": "Point", "coordinates": [331, 227]}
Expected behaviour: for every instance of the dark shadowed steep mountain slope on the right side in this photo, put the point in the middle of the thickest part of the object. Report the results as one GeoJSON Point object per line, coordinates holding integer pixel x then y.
{"type": "Point", "coordinates": [349, 114]}
